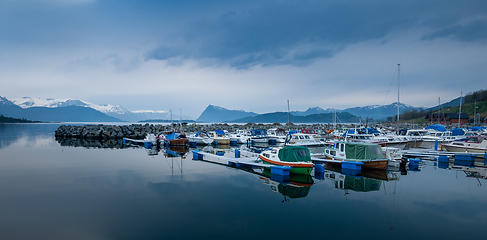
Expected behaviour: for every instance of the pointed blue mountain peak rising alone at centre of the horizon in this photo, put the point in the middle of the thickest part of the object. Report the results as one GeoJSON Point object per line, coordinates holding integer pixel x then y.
{"type": "Point", "coordinates": [218, 114]}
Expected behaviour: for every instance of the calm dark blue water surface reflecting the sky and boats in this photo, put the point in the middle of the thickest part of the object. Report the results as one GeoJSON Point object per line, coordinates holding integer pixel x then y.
{"type": "Point", "coordinates": [63, 189]}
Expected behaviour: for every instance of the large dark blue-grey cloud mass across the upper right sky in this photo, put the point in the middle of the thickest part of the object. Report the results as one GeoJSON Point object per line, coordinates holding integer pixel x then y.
{"type": "Point", "coordinates": [298, 33]}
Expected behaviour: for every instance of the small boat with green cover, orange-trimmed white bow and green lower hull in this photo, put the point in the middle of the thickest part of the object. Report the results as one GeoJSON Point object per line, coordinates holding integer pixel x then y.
{"type": "Point", "coordinates": [296, 157]}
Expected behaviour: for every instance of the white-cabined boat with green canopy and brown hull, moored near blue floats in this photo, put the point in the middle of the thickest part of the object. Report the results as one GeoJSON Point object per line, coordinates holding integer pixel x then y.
{"type": "Point", "coordinates": [371, 155]}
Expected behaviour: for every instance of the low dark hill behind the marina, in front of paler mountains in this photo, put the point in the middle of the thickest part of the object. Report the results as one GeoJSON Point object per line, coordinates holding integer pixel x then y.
{"type": "Point", "coordinates": [282, 117]}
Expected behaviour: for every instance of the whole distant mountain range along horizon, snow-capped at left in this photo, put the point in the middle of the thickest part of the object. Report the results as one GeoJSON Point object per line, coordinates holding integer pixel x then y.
{"type": "Point", "coordinates": [75, 110]}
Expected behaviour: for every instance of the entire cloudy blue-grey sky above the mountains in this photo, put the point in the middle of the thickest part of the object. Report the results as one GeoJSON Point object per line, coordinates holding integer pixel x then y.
{"type": "Point", "coordinates": [247, 55]}
